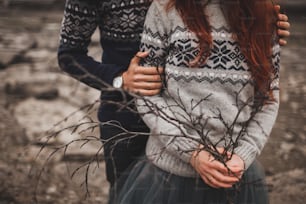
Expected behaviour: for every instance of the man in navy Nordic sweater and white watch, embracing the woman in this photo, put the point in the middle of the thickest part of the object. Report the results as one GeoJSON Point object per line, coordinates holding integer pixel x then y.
{"type": "Point", "coordinates": [120, 23]}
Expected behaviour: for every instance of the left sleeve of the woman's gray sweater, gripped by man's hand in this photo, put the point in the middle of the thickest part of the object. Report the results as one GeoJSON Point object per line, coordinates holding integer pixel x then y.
{"type": "Point", "coordinates": [155, 112]}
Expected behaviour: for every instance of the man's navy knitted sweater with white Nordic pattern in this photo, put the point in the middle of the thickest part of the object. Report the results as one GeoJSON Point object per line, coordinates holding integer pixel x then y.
{"type": "Point", "coordinates": [120, 23]}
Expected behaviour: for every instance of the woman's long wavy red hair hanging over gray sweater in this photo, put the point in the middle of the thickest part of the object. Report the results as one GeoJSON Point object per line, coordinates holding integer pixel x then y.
{"type": "Point", "coordinates": [253, 25]}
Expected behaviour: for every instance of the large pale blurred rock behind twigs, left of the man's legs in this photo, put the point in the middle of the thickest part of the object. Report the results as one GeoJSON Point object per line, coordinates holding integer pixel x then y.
{"type": "Point", "coordinates": [48, 119]}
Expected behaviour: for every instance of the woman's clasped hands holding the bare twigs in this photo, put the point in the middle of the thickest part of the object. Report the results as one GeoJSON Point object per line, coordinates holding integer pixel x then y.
{"type": "Point", "coordinates": [213, 172]}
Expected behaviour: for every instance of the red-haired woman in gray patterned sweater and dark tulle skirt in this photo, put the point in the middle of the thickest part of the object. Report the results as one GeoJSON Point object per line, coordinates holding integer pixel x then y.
{"type": "Point", "coordinates": [219, 105]}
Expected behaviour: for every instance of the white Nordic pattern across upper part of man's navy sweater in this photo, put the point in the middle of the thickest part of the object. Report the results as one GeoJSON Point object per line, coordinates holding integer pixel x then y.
{"type": "Point", "coordinates": [122, 21]}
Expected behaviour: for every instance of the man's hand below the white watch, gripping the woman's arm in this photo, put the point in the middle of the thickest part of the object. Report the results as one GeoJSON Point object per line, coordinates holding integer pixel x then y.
{"type": "Point", "coordinates": [145, 81]}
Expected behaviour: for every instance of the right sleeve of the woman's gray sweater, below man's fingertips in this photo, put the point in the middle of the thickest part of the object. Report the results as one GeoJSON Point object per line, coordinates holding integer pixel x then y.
{"type": "Point", "coordinates": [259, 129]}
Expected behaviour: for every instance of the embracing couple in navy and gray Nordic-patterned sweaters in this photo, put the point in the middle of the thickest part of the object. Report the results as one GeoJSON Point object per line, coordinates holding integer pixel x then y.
{"type": "Point", "coordinates": [223, 50]}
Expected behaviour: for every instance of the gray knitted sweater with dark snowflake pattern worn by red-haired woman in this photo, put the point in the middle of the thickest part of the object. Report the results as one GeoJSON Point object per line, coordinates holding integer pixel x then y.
{"type": "Point", "coordinates": [211, 103]}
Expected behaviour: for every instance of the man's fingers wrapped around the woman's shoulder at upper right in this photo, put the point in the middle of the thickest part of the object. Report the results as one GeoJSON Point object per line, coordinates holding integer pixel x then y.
{"type": "Point", "coordinates": [283, 26]}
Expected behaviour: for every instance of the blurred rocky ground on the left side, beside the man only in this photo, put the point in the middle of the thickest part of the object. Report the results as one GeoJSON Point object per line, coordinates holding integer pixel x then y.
{"type": "Point", "coordinates": [34, 97]}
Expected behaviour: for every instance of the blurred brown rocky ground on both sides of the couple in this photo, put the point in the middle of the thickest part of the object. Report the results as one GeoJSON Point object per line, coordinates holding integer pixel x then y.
{"type": "Point", "coordinates": [37, 100]}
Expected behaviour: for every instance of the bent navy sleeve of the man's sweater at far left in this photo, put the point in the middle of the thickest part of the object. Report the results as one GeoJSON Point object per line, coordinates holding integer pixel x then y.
{"type": "Point", "coordinates": [78, 25]}
